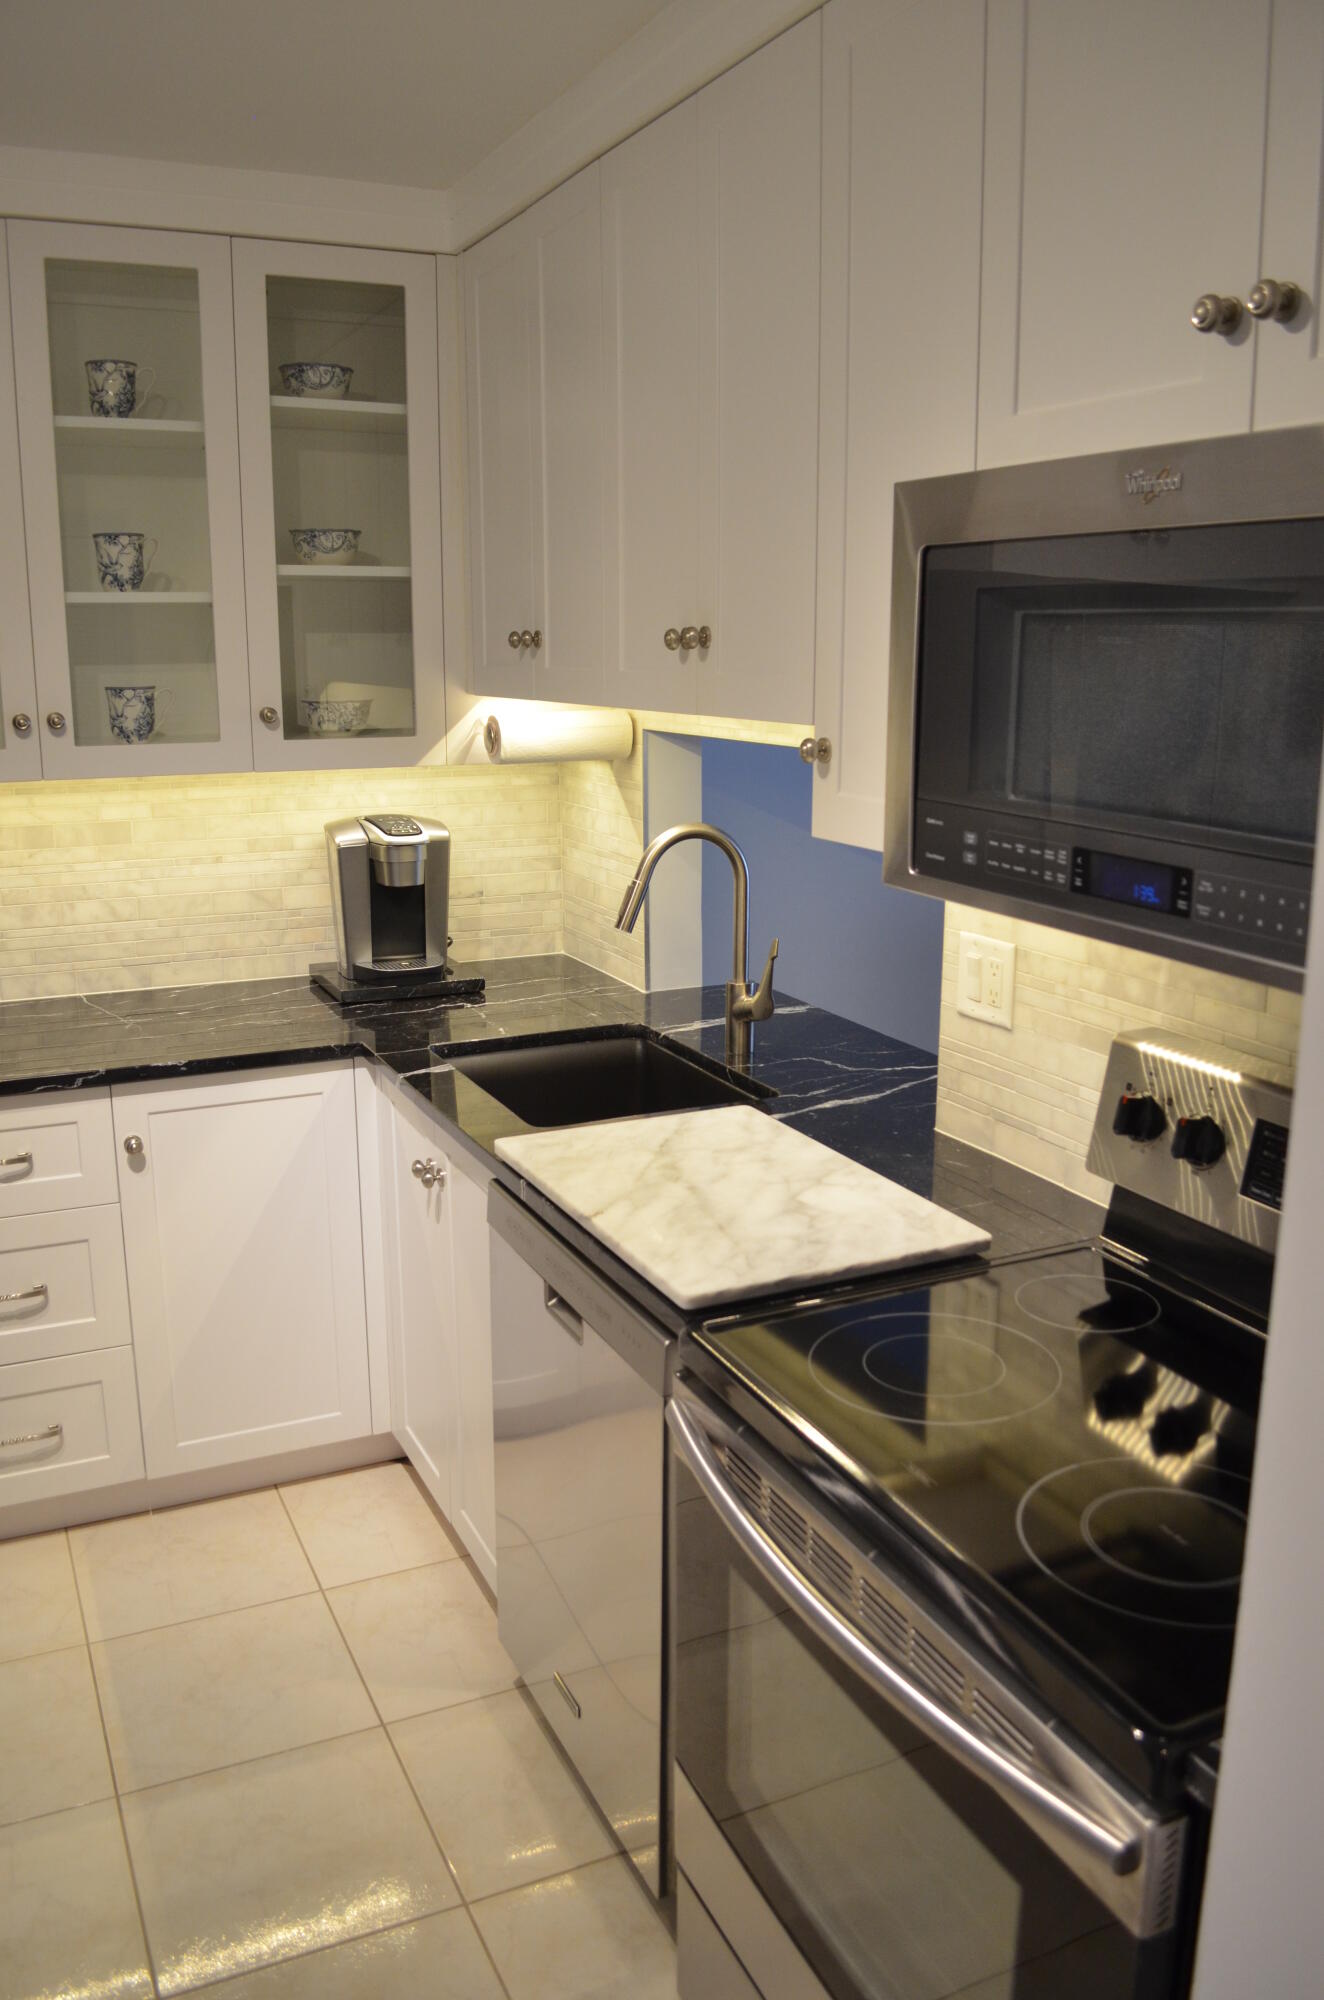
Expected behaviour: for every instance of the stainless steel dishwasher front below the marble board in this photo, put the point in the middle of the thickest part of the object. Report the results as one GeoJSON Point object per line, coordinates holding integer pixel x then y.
{"type": "Point", "coordinates": [579, 1389]}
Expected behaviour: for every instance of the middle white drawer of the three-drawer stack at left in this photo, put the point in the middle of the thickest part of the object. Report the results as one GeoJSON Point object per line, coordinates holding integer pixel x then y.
{"type": "Point", "coordinates": [63, 1287]}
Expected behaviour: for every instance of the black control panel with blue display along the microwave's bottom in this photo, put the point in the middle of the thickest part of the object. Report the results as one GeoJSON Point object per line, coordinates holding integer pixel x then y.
{"type": "Point", "coordinates": [1231, 903]}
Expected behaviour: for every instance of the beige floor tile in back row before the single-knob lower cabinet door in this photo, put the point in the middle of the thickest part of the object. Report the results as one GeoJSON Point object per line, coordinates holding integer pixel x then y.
{"type": "Point", "coordinates": [187, 1563]}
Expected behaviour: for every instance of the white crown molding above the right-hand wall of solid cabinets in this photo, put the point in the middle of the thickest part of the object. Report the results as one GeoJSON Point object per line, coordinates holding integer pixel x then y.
{"type": "Point", "coordinates": [679, 51]}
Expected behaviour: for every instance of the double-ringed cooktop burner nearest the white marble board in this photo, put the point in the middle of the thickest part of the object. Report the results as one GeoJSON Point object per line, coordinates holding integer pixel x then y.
{"type": "Point", "coordinates": [1035, 1373]}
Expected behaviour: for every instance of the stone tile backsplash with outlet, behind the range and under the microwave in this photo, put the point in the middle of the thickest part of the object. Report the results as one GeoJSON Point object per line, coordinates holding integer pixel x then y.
{"type": "Point", "coordinates": [1029, 1095]}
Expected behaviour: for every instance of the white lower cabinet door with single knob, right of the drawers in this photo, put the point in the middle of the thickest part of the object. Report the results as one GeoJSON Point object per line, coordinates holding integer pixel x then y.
{"type": "Point", "coordinates": [245, 1265]}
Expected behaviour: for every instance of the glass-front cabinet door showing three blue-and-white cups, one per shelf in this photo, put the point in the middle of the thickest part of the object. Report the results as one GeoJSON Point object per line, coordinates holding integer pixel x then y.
{"type": "Point", "coordinates": [129, 449]}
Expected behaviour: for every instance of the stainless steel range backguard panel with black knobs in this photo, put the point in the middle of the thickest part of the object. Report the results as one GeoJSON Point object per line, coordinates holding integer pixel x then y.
{"type": "Point", "coordinates": [1189, 1125]}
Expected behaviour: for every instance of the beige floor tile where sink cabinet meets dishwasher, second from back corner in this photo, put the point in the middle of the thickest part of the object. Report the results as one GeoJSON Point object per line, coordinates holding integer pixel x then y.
{"type": "Point", "coordinates": [423, 1639]}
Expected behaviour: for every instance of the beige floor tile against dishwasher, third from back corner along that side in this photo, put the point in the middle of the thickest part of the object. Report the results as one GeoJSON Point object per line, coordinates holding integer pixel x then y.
{"type": "Point", "coordinates": [503, 1803]}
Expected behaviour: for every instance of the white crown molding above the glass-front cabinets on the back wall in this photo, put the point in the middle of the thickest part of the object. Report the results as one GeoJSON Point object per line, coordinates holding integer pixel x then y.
{"type": "Point", "coordinates": [229, 201]}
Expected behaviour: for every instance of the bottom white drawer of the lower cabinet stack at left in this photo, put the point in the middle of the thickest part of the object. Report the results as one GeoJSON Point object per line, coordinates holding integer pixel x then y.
{"type": "Point", "coordinates": [69, 1423]}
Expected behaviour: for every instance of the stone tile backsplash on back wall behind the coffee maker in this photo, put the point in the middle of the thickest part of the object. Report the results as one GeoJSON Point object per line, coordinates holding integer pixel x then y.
{"type": "Point", "coordinates": [181, 881]}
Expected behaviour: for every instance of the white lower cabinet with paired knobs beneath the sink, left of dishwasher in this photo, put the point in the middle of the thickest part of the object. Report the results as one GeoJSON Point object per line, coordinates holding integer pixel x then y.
{"type": "Point", "coordinates": [439, 1319]}
